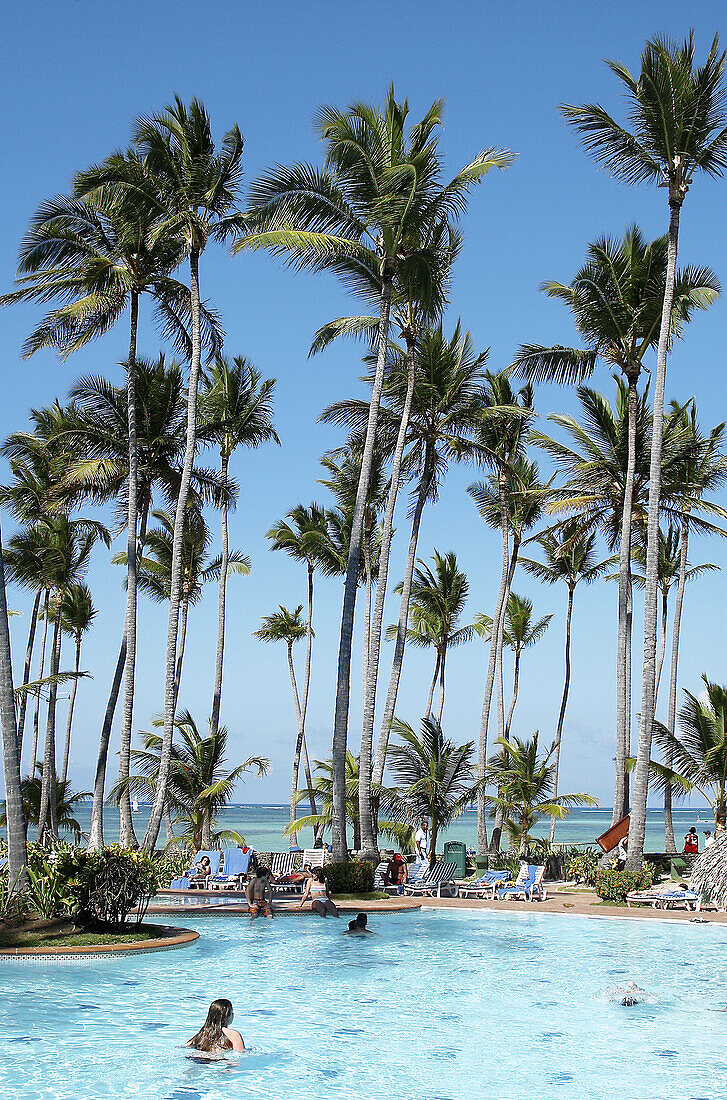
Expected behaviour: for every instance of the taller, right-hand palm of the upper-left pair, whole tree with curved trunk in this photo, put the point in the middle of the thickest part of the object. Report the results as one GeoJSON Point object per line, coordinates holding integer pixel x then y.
{"type": "Point", "coordinates": [193, 189]}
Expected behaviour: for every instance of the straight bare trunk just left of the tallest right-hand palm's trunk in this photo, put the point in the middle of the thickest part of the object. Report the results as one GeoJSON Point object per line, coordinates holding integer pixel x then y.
{"type": "Point", "coordinates": [623, 662]}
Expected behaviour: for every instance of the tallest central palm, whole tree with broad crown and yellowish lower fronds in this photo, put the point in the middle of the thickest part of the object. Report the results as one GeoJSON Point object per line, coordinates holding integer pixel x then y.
{"type": "Point", "coordinates": [368, 217]}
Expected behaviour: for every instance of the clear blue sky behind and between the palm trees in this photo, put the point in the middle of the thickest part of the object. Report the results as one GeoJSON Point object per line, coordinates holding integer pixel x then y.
{"type": "Point", "coordinates": [75, 76]}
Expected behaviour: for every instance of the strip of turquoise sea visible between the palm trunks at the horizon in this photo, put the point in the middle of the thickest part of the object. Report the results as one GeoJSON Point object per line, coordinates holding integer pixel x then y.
{"type": "Point", "coordinates": [262, 827]}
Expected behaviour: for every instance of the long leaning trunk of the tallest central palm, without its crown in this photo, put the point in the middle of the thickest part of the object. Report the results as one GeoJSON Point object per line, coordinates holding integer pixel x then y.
{"type": "Point", "coordinates": [344, 681]}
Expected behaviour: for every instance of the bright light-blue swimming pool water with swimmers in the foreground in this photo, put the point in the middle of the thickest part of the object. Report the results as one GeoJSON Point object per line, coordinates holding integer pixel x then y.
{"type": "Point", "coordinates": [437, 1006]}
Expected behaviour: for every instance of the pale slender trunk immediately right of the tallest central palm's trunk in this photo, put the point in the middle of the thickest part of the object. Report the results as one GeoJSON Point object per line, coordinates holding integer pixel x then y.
{"type": "Point", "coordinates": [366, 764]}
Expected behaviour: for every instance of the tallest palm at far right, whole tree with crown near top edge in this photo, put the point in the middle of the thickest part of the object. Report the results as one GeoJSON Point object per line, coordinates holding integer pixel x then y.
{"type": "Point", "coordinates": [678, 128]}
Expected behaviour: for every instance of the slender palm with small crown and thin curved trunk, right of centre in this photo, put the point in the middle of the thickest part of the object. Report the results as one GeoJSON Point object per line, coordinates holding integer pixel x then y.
{"type": "Point", "coordinates": [571, 558]}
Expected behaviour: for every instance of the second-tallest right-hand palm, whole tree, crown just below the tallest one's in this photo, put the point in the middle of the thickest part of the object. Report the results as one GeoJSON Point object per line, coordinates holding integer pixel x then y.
{"type": "Point", "coordinates": [616, 301]}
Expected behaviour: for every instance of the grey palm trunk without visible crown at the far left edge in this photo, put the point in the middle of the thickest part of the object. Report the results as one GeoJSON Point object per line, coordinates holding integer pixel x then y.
{"type": "Point", "coordinates": [15, 817]}
